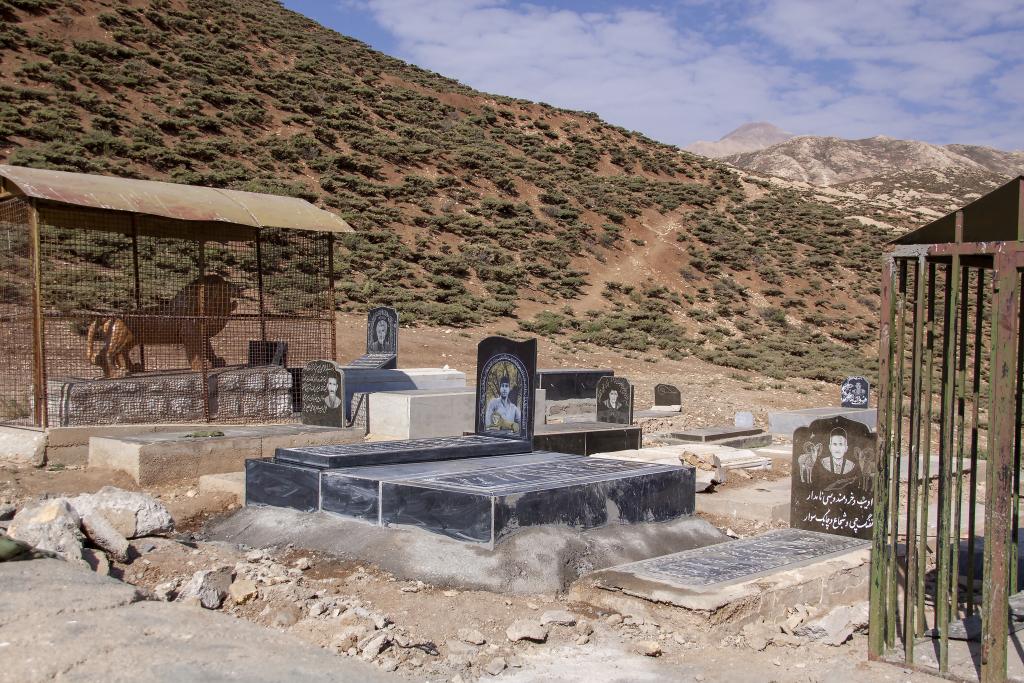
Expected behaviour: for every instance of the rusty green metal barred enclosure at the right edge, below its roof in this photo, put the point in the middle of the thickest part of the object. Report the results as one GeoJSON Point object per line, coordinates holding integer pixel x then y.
{"type": "Point", "coordinates": [972, 341]}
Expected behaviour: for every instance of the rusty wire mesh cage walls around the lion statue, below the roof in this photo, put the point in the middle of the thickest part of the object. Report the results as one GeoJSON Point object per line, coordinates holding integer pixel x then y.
{"type": "Point", "coordinates": [148, 320]}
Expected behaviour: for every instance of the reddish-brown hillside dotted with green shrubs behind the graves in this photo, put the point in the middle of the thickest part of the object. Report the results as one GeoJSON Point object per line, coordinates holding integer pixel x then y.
{"type": "Point", "coordinates": [470, 208]}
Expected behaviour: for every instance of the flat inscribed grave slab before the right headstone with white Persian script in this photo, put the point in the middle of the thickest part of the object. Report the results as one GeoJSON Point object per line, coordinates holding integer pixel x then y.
{"type": "Point", "coordinates": [735, 562]}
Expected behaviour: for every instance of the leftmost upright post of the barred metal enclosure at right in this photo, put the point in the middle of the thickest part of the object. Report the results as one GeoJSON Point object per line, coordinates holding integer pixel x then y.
{"type": "Point", "coordinates": [881, 553]}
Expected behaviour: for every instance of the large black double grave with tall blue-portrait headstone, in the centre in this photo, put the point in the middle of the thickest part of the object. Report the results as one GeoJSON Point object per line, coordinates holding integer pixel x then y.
{"type": "Point", "coordinates": [482, 487]}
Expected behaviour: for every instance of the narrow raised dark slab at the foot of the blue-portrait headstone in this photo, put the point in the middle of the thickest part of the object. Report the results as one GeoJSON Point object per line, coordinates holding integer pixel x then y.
{"type": "Point", "coordinates": [407, 451]}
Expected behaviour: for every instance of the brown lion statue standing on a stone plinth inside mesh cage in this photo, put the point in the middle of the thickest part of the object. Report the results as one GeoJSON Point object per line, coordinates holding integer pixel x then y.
{"type": "Point", "coordinates": [110, 340]}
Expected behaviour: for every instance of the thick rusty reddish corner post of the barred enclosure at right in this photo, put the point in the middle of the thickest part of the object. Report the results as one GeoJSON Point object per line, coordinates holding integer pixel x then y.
{"type": "Point", "coordinates": [1001, 452]}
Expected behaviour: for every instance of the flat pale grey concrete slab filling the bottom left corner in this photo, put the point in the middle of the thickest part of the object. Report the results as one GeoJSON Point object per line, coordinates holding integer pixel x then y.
{"type": "Point", "coordinates": [63, 622]}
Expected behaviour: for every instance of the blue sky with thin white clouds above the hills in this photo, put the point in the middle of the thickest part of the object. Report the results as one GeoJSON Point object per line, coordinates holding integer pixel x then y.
{"type": "Point", "coordinates": [941, 71]}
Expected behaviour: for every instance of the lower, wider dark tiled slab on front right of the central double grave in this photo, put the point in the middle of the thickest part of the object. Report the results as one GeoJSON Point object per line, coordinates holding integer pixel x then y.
{"type": "Point", "coordinates": [485, 500]}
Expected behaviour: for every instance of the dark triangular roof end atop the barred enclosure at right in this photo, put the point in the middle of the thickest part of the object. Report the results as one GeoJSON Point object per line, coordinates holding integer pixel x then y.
{"type": "Point", "coordinates": [995, 218]}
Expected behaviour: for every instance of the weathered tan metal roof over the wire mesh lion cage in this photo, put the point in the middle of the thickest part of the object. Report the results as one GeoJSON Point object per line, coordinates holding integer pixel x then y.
{"type": "Point", "coordinates": [173, 201]}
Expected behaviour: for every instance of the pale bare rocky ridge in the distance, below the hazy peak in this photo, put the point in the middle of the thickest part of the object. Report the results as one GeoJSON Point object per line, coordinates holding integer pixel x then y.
{"type": "Point", "coordinates": [833, 161]}
